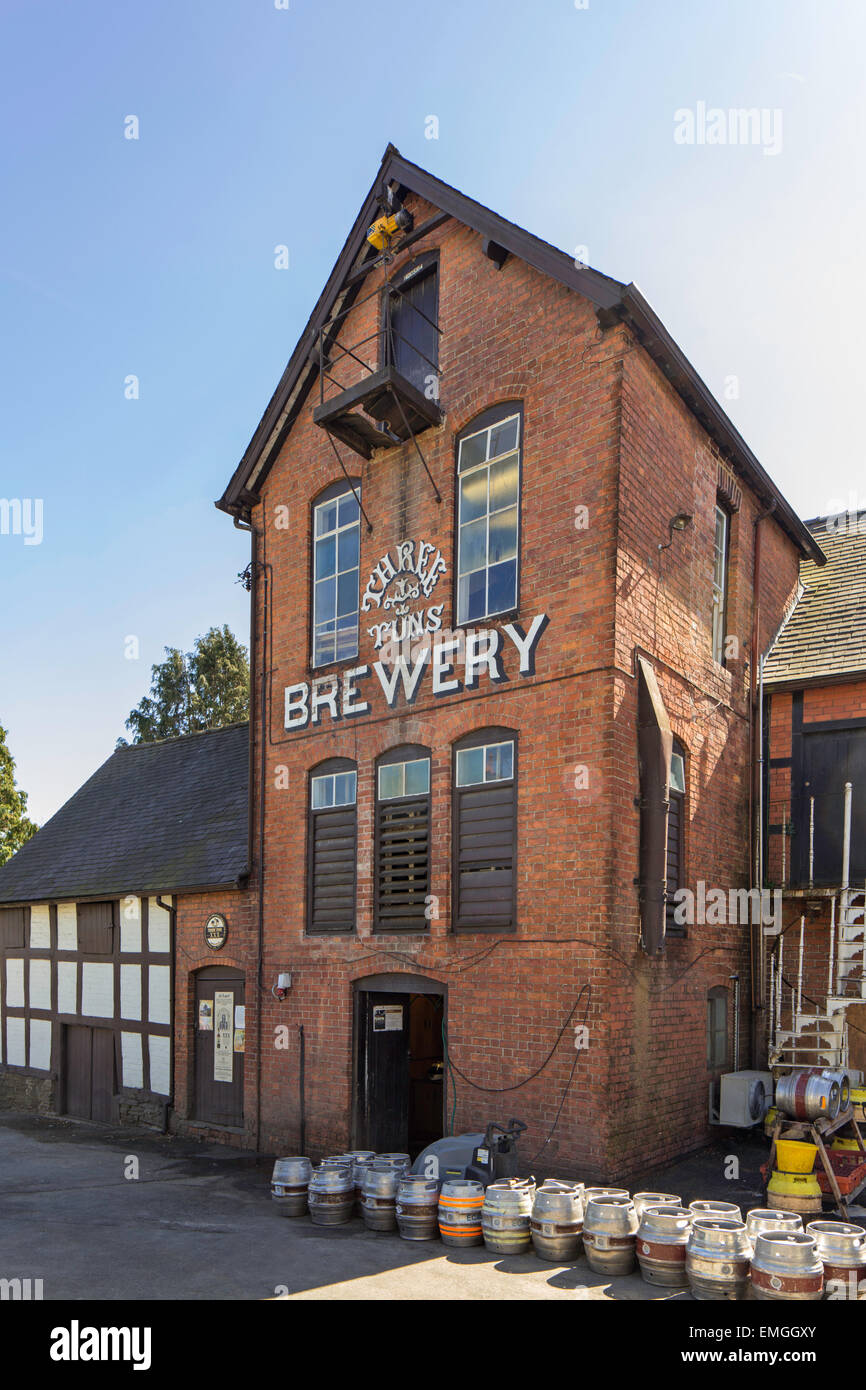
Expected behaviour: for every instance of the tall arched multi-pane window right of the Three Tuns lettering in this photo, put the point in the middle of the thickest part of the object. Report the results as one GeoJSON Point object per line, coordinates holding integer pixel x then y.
{"type": "Point", "coordinates": [489, 494]}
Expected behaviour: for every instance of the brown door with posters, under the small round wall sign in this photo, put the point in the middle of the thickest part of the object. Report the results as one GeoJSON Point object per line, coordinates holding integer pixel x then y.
{"type": "Point", "coordinates": [220, 1046]}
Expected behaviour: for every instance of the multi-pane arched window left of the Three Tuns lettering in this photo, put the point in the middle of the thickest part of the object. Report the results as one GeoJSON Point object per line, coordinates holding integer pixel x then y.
{"type": "Point", "coordinates": [337, 537]}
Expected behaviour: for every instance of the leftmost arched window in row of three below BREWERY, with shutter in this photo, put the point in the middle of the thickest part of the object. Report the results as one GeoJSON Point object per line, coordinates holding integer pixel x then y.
{"type": "Point", "coordinates": [333, 846]}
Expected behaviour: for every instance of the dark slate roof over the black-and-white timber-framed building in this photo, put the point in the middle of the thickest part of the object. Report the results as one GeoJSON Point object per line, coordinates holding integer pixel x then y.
{"type": "Point", "coordinates": [155, 818]}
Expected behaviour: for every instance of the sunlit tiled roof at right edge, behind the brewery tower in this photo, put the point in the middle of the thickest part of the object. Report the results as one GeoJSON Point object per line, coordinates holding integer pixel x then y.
{"type": "Point", "coordinates": [825, 637]}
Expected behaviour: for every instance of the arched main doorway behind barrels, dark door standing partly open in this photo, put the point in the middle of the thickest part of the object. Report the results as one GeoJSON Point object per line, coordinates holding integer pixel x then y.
{"type": "Point", "coordinates": [400, 1064]}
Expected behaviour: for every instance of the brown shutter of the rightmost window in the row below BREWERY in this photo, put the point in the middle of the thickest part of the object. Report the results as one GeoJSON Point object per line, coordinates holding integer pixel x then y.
{"type": "Point", "coordinates": [484, 857]}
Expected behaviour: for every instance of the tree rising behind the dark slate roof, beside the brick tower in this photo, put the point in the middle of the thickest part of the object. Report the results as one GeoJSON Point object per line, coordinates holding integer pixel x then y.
{"type": "Point", "coordinates": [193, 692]}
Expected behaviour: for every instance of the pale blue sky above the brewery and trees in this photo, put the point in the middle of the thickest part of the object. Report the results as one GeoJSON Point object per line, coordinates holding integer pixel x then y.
{"type": "Point", "coordinates": [263, 127]}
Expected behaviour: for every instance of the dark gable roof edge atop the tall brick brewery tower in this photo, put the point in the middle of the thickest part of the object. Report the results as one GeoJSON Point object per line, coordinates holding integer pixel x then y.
{"type": "Point", "coordinates": [614, 302]}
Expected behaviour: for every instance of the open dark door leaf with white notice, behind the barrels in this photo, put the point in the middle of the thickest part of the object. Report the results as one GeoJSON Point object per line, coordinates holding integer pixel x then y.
{"type": "Point", "coordinates": [383, 1075]}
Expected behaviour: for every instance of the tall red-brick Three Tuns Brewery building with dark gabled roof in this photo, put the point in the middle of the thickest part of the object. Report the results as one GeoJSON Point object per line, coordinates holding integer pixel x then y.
{"type": "Point", "coordinates": [512, 571]}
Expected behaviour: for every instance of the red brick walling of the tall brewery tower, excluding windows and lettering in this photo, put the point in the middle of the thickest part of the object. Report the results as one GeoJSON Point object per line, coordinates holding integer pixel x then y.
{"type": "Point", "coordinates": [601, 430]}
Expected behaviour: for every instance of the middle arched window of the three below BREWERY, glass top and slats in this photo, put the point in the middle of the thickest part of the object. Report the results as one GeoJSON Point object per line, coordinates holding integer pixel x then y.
{"type": "Point", "coordinates": [402, 840]}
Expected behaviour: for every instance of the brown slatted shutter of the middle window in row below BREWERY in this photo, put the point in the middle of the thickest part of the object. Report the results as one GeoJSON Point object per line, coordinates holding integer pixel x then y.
{"type": "Point", "coordinates": [402, 864]}
